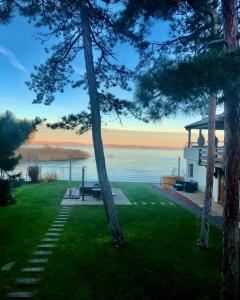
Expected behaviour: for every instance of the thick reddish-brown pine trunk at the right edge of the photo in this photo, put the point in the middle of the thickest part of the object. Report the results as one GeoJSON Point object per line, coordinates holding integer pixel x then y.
{"type": "Point", "coordinates": [230, 258]}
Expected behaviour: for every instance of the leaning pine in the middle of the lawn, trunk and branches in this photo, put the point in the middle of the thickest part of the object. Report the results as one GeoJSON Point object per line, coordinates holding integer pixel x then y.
{"type": "Point", "coordinates": [76, 26]}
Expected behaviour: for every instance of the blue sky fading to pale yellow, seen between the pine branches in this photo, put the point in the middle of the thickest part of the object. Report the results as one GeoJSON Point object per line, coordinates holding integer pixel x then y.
{"type": "Point", "coordinates": [20, 50]}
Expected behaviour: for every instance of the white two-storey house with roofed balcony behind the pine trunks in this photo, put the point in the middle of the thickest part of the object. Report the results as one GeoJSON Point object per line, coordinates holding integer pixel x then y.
{"type": "Point", "coordinates": [195, 154]}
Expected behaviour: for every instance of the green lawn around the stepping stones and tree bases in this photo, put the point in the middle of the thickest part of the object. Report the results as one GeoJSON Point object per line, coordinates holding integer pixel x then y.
{"type": "Point", "coordinates": [160, 261]}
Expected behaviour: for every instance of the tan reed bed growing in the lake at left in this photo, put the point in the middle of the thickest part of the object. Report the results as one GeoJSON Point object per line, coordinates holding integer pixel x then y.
{"type": "Point", "coordinates": [50, 154]}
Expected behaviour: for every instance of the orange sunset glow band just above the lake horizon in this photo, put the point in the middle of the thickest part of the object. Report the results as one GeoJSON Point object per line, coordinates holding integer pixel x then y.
{"type": "Point", "coordinates": [113, 137]}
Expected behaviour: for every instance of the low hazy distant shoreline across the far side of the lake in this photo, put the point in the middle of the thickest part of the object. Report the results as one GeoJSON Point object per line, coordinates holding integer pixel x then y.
{"type": "Point", "coordinates": [62, 144]}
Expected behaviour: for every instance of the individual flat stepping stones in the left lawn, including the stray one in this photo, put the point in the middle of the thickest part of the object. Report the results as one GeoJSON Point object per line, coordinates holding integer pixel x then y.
{"type": "Point", "coordinates": [52, 236]}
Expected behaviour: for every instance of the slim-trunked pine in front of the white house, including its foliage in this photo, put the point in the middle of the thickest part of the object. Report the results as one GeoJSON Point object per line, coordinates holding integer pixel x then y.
{"type": "Point", "coordinates": [195, 28]}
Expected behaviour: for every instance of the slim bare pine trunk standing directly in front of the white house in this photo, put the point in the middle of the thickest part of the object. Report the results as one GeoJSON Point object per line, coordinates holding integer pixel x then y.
{"type": "Point", "coordinates": [206, 213]}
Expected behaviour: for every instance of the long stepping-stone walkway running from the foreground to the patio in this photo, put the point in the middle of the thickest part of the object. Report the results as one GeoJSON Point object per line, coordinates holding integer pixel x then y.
{"type": "Point", "coordinates": [30, 275]}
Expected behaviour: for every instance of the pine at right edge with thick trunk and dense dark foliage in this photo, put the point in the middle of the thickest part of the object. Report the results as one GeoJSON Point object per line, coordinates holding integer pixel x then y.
{"type": "Point", "coordinates": [211, 73]}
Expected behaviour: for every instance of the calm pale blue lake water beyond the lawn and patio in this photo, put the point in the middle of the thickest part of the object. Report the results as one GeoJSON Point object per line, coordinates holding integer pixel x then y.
{"type": "Point", "coordinates": [123, 164]}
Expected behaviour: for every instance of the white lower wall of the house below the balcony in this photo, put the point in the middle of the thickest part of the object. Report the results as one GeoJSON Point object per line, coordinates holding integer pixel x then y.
{"type": "Point", "coordinates": [199, 172]}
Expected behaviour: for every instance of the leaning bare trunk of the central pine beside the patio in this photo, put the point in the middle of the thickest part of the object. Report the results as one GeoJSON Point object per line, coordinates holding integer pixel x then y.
{"type": "Point", "coordinates": [109, 205]}
